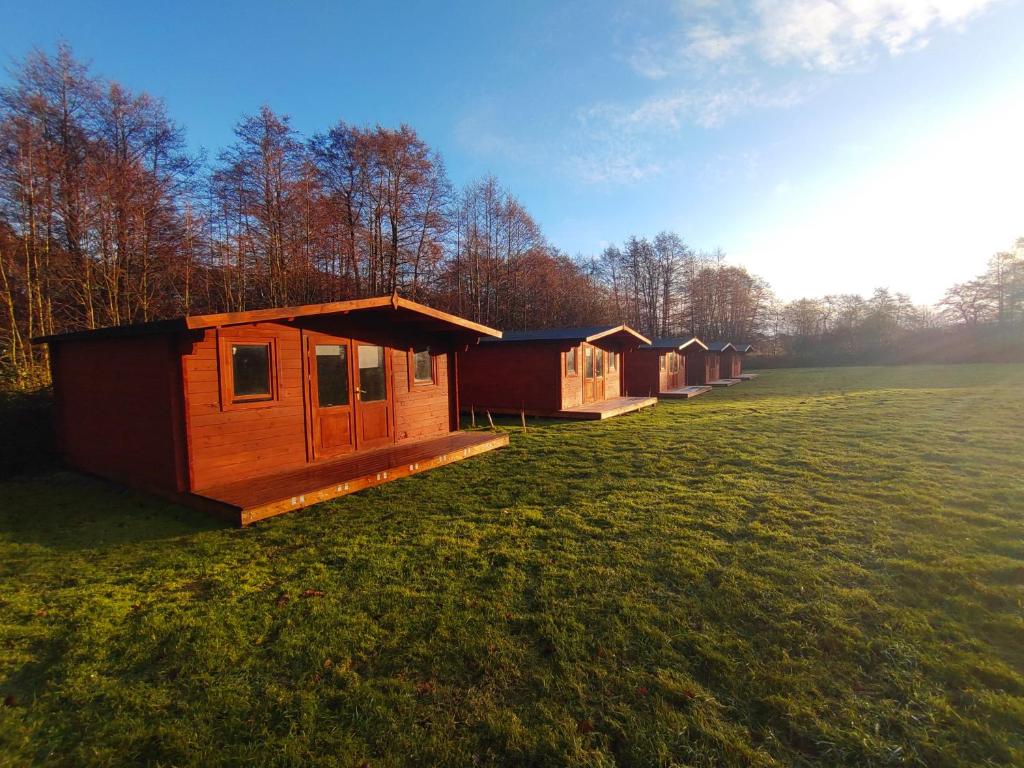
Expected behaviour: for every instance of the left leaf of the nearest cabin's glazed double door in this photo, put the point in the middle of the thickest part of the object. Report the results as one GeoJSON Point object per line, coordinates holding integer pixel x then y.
{"type": "Point", "coordinates": [331, 396]}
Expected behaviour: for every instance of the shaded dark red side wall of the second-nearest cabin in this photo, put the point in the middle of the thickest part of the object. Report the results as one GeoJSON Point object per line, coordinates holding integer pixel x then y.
{"type": "Point", "coordinates": [510, 377]}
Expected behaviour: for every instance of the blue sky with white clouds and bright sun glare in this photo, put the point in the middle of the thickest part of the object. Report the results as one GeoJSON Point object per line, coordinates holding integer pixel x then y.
{"type": "Point", "coordinates": [829, 146]}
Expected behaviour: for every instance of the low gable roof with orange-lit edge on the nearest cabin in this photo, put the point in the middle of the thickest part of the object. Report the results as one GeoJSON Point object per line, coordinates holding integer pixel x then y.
{"type": "Point", "coordinates": [407, 310]}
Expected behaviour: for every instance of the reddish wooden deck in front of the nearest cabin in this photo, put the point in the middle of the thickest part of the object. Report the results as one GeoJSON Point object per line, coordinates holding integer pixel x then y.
{"type": "Point", "coordinates": [252, 500]}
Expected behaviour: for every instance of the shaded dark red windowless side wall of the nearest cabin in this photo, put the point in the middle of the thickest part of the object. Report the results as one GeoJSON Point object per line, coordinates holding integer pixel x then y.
{"type": "Point", "coordinates": [118, 410]}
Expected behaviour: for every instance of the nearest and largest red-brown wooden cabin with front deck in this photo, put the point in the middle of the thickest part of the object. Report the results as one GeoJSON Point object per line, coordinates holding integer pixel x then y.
{"type": "Point", "coordinates": [254, 414]}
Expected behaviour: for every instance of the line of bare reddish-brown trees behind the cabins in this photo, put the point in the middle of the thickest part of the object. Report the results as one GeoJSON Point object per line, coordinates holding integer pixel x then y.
{"type": "Point", "coordinates": [108, 219]}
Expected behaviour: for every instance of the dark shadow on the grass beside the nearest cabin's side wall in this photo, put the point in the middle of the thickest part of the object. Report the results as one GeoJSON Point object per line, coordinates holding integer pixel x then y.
{"type": "Point", "coordinates": [67, 511]}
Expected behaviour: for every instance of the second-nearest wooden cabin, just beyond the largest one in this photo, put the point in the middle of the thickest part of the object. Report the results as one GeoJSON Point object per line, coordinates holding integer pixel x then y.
{"type": "Point", "coordinates": [569, 373]}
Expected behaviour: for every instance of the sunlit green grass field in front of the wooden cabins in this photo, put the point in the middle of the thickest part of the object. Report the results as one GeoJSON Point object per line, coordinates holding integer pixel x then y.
{"type": "Point", "coordinates": [819, 568]}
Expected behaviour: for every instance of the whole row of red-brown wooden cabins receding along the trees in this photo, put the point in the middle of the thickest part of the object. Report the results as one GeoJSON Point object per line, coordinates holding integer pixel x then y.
{"type": "Point", "coordinates": [252, 414]}
